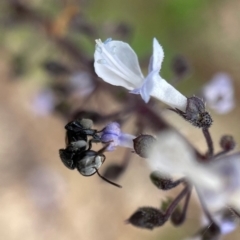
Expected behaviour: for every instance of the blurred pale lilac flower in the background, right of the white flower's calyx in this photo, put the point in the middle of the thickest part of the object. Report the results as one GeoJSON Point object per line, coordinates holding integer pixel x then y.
{"type": "Point", "coordinates": [219, 93]}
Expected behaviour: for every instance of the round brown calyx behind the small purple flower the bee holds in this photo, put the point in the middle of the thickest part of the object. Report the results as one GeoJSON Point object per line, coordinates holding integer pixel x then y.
{"type": "Point", "coordinates": [142, 145]}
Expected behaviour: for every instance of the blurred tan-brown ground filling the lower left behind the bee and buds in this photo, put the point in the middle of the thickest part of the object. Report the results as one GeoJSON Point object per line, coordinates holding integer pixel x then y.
{"type": "Point", "coordinates": [41, 199]}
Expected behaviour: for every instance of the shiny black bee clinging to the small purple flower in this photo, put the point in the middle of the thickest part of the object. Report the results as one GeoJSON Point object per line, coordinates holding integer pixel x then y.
{"type": "Point", "coordinates": [77, 155]}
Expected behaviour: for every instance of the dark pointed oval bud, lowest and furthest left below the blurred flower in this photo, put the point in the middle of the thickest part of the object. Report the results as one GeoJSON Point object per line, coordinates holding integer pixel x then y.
{"type": "Point", "coordinates": [147, 217]}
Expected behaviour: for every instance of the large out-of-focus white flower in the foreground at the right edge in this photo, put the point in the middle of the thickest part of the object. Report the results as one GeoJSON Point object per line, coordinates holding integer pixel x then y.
{"type": "Point", "coordinates": [218, 182]}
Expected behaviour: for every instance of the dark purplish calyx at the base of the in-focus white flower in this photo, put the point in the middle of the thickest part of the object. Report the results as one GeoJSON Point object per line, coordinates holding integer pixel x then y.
{"type": "Point", "coordinates": [196, 113]}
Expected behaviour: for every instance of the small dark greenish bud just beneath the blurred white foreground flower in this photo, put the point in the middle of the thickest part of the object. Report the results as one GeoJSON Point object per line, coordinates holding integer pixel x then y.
{"type": "Point", "coordinates": [163, 182]}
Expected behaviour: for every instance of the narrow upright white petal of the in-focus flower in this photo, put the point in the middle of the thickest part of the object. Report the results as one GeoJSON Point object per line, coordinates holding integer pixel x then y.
{"type": "Point", "coordinates": [157, 57]}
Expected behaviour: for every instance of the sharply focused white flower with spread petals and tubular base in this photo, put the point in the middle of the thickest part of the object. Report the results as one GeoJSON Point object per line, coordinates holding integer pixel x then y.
{"type": "Point", "coordinates": [117, 63]}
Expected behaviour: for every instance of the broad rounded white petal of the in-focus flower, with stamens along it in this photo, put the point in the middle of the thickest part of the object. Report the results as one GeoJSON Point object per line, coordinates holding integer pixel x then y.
{"type": "Point", "coordinates": [117, 63]}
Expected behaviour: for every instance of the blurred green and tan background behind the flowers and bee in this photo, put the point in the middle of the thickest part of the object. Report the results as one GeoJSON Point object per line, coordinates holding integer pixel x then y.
{"type": "Point", "coordinates": [47, 79]}
